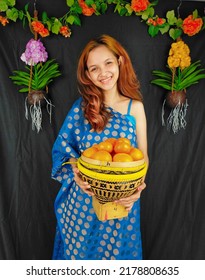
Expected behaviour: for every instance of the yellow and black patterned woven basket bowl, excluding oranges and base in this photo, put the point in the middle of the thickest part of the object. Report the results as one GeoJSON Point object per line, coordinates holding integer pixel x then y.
{"type": "Point", "coordinates": [110, 181]}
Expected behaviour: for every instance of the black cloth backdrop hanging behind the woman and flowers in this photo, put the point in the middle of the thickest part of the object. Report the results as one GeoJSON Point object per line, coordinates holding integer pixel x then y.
{"type": "Point", "coordinates": [172, 206]}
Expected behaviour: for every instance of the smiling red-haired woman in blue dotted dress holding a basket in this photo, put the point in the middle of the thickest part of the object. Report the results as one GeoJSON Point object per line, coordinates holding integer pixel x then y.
{"type": "Point", "coordinates": [110, 106]}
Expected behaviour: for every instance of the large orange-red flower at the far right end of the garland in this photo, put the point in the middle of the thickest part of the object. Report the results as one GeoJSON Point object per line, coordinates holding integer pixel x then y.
{"type": "Point", "coordinates": [192, 26]}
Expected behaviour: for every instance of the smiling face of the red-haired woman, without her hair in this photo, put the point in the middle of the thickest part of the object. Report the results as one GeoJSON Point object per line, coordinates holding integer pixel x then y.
{"type": "Point", "coordinates": [103, 68]}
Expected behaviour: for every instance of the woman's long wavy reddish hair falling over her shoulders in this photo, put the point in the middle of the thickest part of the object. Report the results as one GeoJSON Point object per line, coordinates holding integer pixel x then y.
{"type": "Point", "coordinates": [128, 84]}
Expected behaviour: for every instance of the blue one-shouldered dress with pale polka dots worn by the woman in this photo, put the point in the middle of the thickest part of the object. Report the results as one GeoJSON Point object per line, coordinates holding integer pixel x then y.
{"type": "Point", "coordinates": [79, 233]}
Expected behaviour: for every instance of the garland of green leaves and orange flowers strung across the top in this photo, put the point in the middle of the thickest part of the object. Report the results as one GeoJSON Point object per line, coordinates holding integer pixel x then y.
{"type": "Point", "coordinates": [45, 25]}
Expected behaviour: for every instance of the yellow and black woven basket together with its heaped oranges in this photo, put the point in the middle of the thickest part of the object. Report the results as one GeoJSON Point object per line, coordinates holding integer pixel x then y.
{"type": "Point", "coordinates": [113, 168]}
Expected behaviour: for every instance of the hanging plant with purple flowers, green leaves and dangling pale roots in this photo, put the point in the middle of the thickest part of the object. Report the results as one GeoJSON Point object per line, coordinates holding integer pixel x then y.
{"type": "Point", "coordinates": [39, 73]}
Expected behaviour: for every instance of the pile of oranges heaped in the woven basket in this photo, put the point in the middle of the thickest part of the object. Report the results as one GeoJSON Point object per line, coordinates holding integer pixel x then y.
{"type": "Point", "coordinates": [114, 149]}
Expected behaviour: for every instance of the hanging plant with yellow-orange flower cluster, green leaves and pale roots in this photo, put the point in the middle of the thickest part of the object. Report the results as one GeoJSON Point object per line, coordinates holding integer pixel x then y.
{"type": "Point", "coordinates": [182, 74]}
